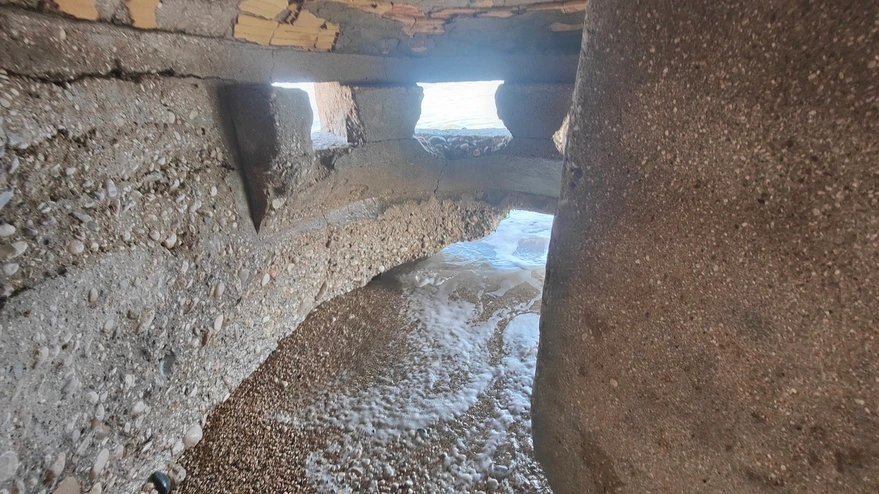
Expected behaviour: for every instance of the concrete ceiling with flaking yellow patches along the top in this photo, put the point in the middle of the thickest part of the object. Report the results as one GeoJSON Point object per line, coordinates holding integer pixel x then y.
{"type": "Point", "coordinates": [415, 29]}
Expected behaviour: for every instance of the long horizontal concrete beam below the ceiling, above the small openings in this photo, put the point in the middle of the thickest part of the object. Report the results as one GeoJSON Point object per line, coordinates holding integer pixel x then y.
{"type": "Point", "coordinates": [51, 47]}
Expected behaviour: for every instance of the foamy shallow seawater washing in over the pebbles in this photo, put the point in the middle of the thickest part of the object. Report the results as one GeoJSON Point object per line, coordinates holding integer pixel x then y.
{"type": "Point", "coordinates": [451, 413]}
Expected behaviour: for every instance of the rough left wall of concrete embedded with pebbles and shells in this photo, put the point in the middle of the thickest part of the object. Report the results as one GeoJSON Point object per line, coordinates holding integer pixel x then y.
{"type": "Point", "coordinates": [136, 292]}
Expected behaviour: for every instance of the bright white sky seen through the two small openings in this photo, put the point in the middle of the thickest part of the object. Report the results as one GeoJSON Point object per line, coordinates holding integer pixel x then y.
{"type": "Point", "coordinates": [446, 105]}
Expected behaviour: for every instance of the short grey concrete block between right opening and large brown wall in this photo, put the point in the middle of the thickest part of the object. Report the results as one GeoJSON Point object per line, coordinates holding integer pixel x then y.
{"type": "Point", "coordinates": [533, 111]}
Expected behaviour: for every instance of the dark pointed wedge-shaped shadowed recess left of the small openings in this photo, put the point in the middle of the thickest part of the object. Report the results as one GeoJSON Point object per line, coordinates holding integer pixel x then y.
{"type": "Point", "coordinates": [249, 131]}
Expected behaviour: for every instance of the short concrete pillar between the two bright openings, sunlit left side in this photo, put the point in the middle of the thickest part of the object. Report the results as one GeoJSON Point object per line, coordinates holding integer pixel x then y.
{"type": "Point", "coordinates": [369, 113]}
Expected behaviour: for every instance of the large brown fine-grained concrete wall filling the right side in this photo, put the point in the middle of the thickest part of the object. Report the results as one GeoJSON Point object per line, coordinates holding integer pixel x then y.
{"type": "Point", "coordinates": [710, 315]}
